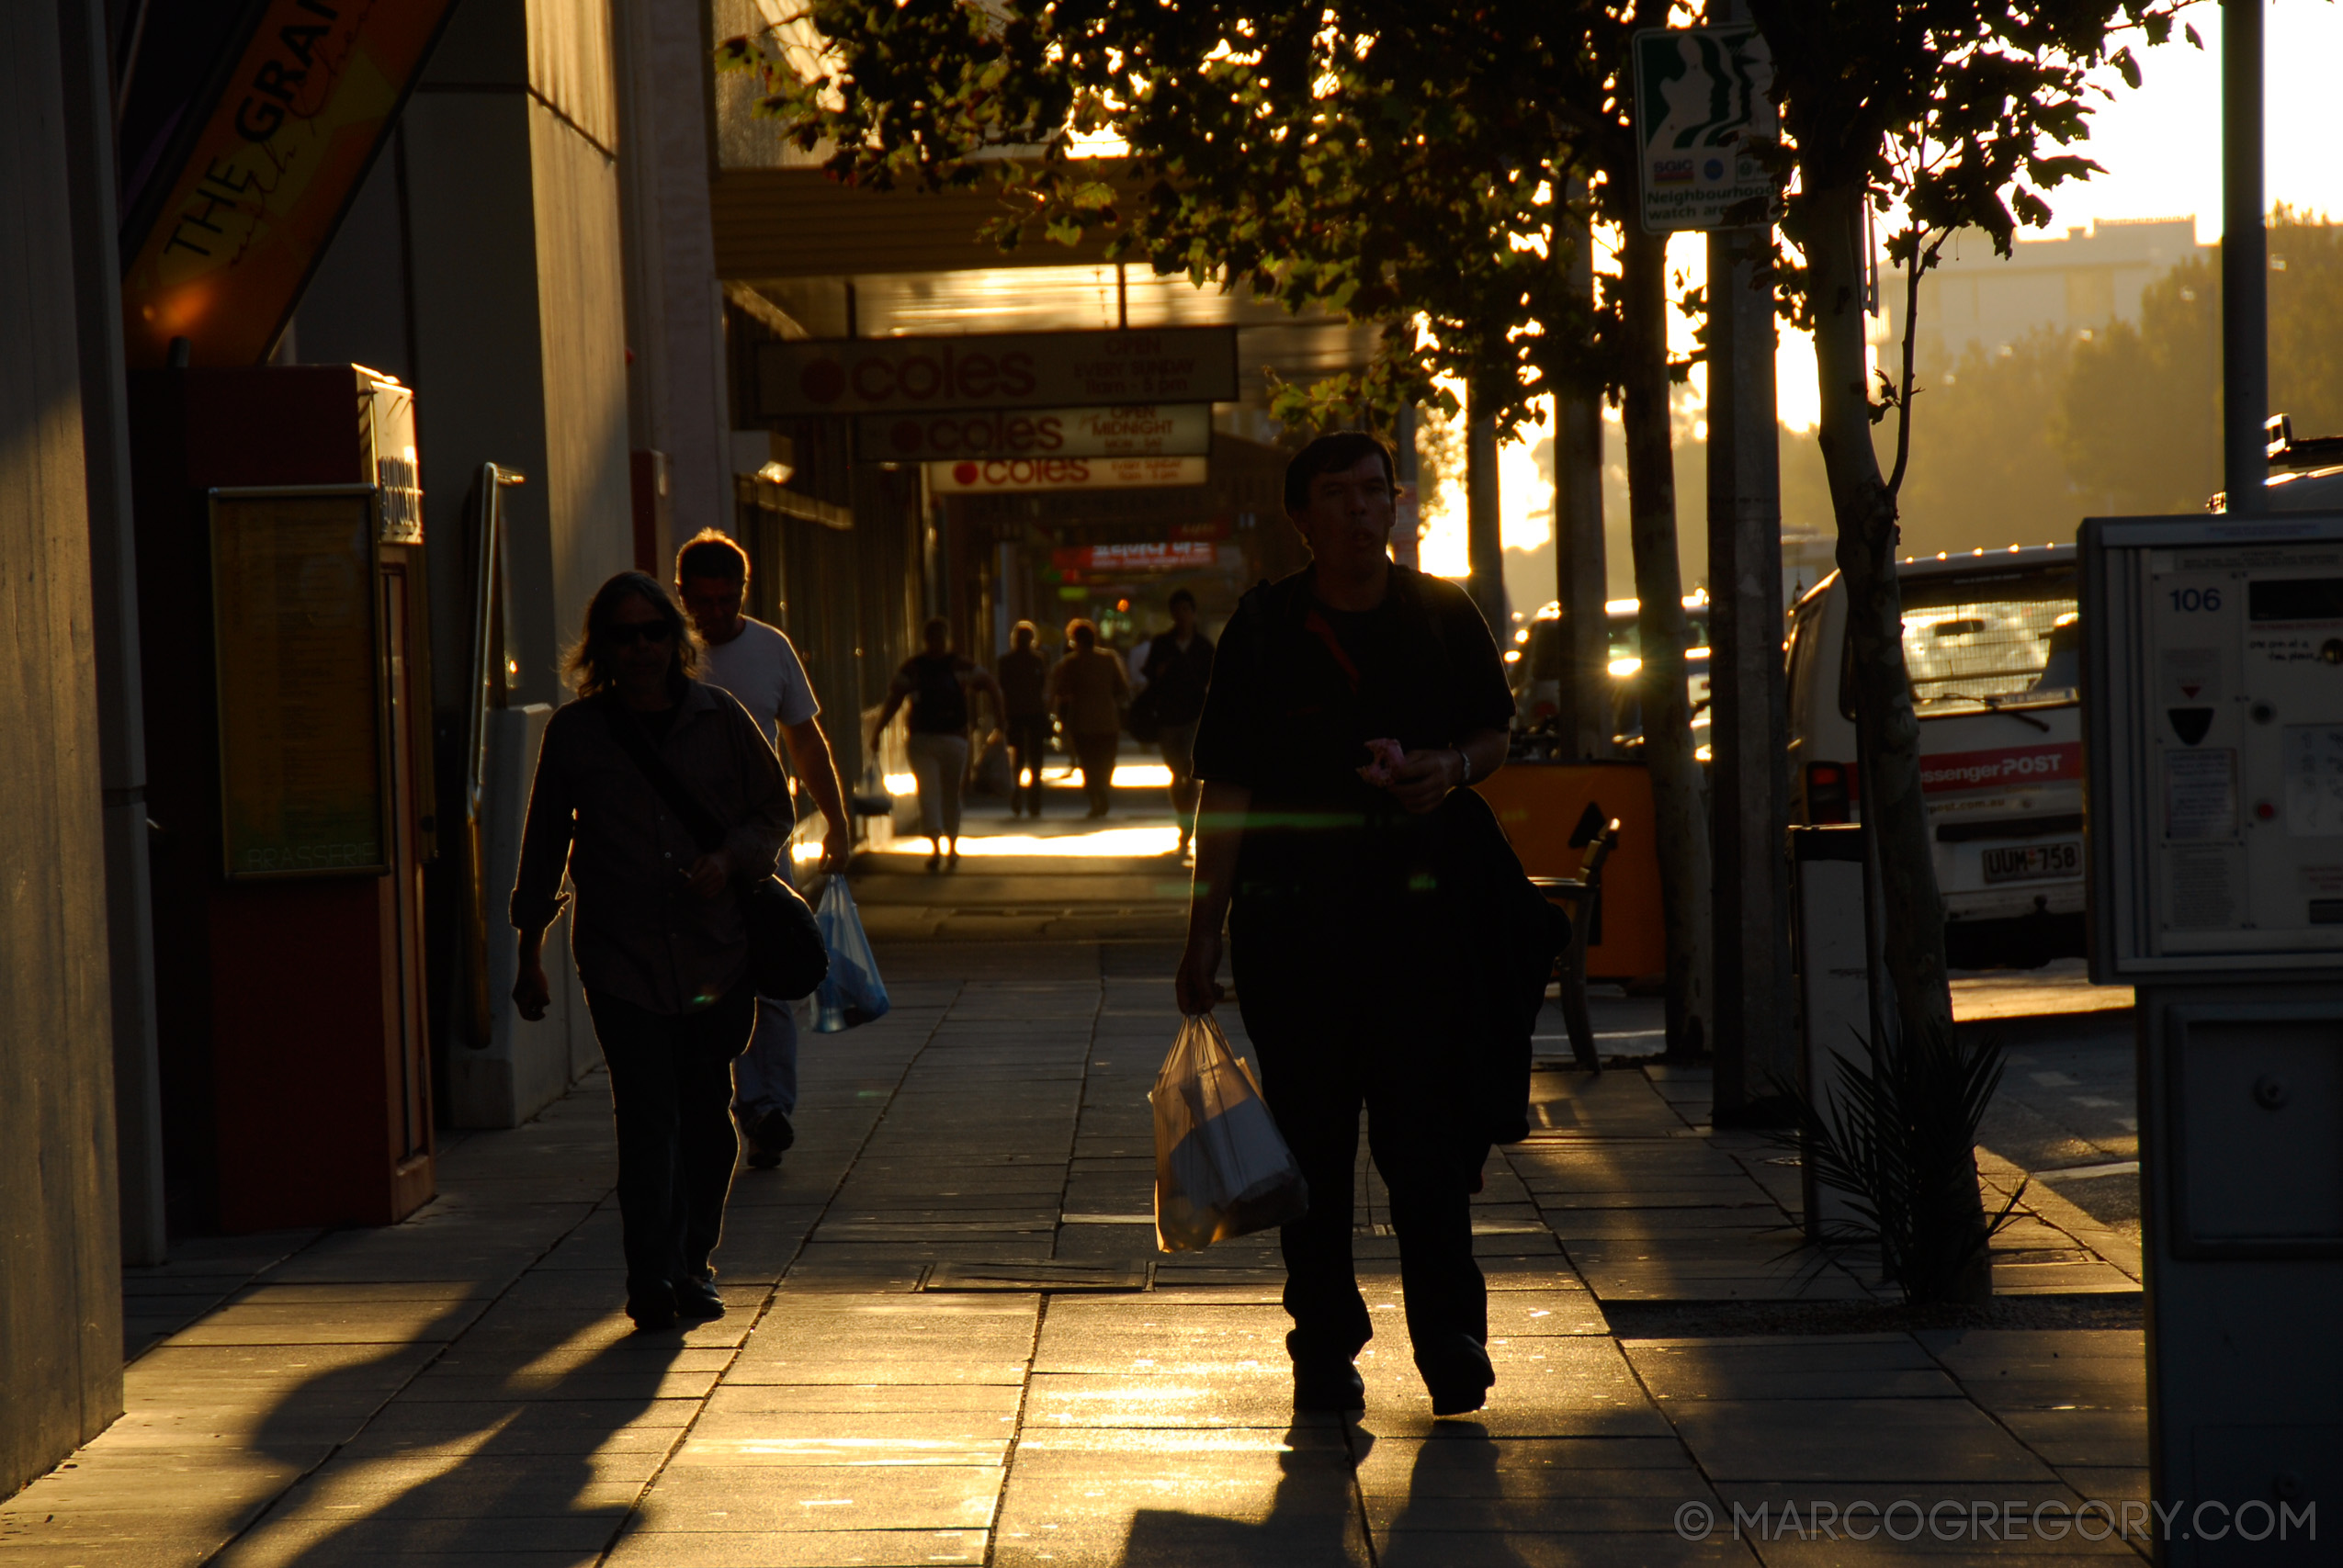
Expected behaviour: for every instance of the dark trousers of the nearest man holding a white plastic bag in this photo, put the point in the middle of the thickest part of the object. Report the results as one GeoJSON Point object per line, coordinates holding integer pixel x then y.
{"type": "Point", "coordinates": [1325, 1056]}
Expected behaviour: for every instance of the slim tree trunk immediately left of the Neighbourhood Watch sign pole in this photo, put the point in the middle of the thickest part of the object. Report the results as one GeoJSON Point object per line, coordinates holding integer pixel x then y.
{"type": "Point", "coordinates": [1679, 807]}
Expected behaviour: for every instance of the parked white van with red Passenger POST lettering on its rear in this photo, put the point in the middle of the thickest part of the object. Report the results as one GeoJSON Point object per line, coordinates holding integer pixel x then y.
{"type": "Point", "coordinates": [1993, 648]}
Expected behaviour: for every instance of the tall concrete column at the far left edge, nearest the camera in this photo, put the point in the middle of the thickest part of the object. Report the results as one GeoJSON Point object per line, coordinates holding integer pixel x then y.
{"type": "Point", "coordinates": [60, 1220]}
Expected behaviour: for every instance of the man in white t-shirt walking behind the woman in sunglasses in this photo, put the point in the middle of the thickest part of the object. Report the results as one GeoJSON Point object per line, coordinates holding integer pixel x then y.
{"type": "Point", "coordinates": [760, 669]}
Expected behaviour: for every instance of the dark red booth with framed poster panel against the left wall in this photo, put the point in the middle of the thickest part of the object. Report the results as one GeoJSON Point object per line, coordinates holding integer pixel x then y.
{"type": "Point", "coordinates": [287, 723]}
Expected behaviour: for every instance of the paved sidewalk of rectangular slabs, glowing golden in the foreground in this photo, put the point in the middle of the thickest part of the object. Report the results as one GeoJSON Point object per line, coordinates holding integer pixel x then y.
{"type": "Point", "coordinates": [950, 1342]}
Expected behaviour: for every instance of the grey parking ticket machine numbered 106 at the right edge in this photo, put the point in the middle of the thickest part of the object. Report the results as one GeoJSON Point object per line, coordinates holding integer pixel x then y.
{"type": "Point", "coordinates": [2213, 707]}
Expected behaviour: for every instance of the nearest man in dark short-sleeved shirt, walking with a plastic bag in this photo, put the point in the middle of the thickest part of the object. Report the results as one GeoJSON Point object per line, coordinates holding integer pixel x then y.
{"type": "Point", "coordinates": [1346, 704]}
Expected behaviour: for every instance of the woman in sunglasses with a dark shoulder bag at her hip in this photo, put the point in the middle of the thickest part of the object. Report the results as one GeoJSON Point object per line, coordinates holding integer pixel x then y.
{"type": "Point", "coordinates": [657, 932]}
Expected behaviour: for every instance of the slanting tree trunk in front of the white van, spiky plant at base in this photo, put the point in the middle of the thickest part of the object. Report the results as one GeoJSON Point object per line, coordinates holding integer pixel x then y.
{"type": "Point", "coordinates": [1890, 763]}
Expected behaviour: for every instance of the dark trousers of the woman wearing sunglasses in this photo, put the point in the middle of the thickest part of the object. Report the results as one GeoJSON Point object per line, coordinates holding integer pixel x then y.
{"type": "Point", "coordinates": [671, 1096]}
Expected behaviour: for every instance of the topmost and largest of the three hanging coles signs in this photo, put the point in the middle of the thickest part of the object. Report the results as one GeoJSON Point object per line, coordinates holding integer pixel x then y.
{"type": "Point", "coordinates": [894, 376]}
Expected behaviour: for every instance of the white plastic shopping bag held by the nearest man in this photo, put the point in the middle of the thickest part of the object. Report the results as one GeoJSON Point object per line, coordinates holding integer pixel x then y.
{"type": "Point", "coordinates": [1220, 1164]}
